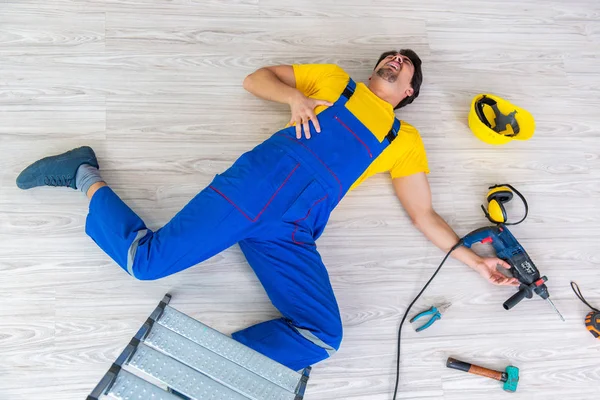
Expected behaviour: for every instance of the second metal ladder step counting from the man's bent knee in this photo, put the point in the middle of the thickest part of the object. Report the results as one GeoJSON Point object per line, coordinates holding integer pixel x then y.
{"type": "Point", "coordinates": [213, 365]}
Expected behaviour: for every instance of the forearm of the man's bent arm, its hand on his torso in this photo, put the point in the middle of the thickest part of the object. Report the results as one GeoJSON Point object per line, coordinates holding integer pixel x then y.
{"type": "Point", "coordinates": [265, 84]}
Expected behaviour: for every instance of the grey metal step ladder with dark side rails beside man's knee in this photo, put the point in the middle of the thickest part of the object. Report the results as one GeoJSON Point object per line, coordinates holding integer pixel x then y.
{"type": "Point", "coordinates": [175, 357]}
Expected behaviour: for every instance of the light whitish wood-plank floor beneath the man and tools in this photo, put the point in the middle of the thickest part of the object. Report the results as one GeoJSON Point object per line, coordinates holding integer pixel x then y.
{"type": "Point", "coordinates": [155, 87]}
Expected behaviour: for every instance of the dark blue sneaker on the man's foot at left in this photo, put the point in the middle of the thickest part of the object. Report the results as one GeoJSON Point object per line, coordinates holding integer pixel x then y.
{"type": "Point", "coordinates": [59, 170]}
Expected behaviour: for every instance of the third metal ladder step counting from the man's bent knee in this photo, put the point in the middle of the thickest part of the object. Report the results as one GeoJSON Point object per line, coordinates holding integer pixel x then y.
{"type": "Point", "coordinates": [179, 376]}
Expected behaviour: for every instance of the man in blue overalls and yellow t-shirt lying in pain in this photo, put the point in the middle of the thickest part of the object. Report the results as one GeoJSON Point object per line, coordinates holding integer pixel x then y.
{"type": "Point", "coordinates": [275, 200]}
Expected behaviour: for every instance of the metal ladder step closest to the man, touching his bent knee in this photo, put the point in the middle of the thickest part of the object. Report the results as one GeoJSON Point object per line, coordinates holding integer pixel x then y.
{"type": "Point", "coordinates": [230, 349]}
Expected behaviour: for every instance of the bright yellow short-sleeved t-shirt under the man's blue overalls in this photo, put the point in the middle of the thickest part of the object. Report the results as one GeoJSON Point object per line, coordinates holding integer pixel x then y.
{"type": "Point", "coordinates": [404, 156]}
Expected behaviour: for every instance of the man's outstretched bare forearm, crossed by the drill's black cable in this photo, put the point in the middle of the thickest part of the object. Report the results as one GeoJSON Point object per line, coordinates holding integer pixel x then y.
{"type": "Point", "coordinates": [443, 236]}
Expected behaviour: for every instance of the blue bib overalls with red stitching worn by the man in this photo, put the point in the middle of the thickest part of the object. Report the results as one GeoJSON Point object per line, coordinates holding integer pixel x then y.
{"type": "Point", "coordinates": [274, 201]}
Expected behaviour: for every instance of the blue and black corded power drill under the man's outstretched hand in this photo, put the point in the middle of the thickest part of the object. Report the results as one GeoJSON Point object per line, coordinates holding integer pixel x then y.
{"type": "Point", "coordinates": [521, 267]}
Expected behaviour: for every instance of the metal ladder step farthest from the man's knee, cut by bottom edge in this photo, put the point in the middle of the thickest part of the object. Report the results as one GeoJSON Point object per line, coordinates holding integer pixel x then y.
{"type": "Point", "coordinates": [130, 387]}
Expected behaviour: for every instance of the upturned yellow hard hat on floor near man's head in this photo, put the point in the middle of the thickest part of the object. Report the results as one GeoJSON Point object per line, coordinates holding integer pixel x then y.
{"type": "Point", "coordinates": [497, 121]}
